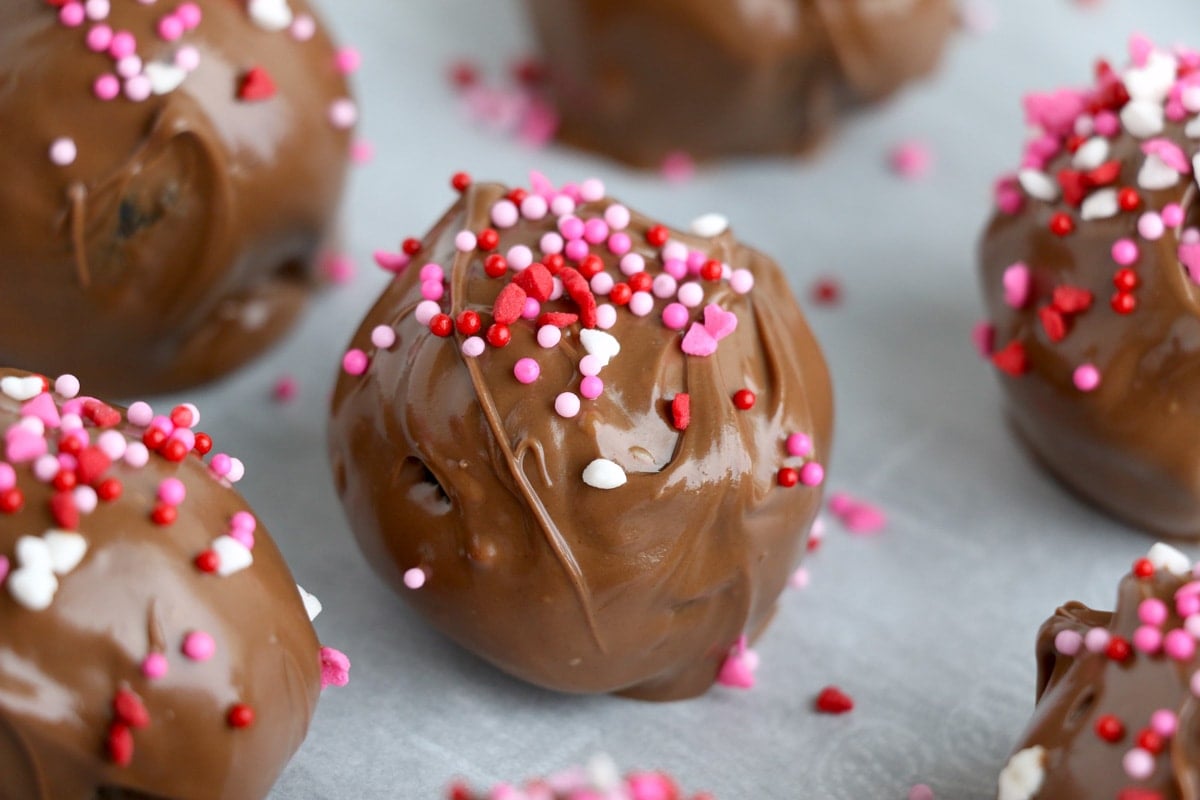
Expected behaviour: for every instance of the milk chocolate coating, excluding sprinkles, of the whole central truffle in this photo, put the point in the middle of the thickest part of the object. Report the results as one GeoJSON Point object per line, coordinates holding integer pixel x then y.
{"type": "Point", "coordinates": [452, 466]}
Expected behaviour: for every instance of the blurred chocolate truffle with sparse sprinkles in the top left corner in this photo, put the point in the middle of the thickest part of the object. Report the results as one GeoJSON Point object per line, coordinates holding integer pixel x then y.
{"type": "Point", "coordinates": [171, 175]}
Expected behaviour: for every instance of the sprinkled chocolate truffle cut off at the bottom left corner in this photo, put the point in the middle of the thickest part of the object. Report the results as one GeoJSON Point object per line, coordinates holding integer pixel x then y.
{"type": "Point", "coordinates": [153, 643]}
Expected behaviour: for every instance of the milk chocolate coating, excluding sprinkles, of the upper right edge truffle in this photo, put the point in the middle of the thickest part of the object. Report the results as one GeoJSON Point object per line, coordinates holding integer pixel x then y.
{"type": "Point", "coordinates": [1126, 447]}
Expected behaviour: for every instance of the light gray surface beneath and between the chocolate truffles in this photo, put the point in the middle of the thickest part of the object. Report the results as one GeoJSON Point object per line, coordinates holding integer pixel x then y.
{"type": "Point", "coordinates": [929, 625]}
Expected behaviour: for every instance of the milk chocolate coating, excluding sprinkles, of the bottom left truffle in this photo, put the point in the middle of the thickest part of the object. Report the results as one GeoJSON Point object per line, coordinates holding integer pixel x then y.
{"type": "Point", "coordinates": [137, 592]}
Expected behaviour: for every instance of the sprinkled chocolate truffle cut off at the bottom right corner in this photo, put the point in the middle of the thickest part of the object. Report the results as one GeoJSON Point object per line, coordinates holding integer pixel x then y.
{"type": "Point", "coordinates": [1117, 714]}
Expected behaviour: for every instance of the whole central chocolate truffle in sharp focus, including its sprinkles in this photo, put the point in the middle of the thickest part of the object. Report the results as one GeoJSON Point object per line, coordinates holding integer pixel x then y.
{"type": "Point", "coordinates": [585, 446]}
